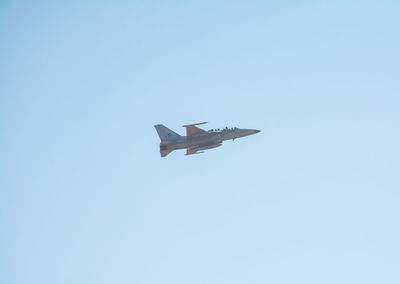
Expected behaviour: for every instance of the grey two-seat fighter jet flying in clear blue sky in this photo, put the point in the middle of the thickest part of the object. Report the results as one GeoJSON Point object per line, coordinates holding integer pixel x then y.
{"type": "Point", "coordinates": [197, 139]}
